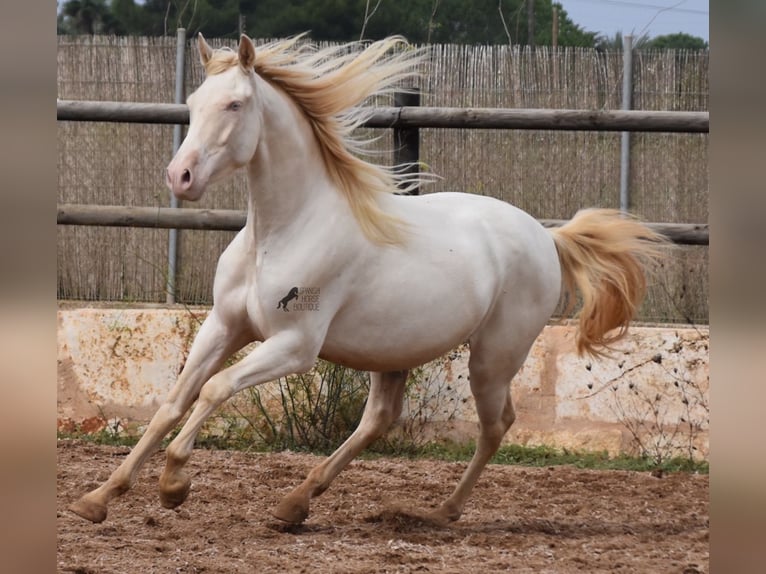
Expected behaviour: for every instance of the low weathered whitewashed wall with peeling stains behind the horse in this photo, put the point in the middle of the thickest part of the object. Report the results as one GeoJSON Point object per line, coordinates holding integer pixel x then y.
{"type": "Point", "coordinates": [115, 366]}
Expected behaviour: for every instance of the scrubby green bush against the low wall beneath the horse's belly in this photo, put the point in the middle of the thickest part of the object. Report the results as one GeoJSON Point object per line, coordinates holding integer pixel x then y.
{"type": "Point", "coordinates": [318, 410]}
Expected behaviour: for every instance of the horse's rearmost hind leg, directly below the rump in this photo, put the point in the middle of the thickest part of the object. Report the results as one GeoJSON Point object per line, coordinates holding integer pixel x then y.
{"type": "Point", "coordinates": [490, 385]}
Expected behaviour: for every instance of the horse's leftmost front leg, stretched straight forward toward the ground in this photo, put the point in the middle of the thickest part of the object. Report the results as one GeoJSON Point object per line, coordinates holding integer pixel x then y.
{"type": "Point", "coordinates": [214, 343]}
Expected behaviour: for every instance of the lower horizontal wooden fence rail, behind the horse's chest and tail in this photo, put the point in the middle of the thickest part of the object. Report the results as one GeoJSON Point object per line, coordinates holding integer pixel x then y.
{"type": "Point", "coordinates": [233, 220]}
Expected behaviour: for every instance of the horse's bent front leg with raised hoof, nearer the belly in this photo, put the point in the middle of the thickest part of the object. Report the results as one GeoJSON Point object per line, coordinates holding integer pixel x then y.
{"type": "Point", "coordinates": [280, 355]}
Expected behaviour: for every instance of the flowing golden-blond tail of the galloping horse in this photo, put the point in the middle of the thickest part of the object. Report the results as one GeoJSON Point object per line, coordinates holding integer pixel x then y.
{"type": "Point", "coordinates": [605, 256]}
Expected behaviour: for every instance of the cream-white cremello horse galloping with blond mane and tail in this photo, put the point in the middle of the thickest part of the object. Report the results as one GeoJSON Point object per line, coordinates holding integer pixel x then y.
{"type": "Point", "coordinates": [395, 280]}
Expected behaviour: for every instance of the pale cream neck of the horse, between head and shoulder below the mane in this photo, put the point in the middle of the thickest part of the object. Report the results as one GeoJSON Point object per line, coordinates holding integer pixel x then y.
{"type": "Point", "coordinates": [289, 184]}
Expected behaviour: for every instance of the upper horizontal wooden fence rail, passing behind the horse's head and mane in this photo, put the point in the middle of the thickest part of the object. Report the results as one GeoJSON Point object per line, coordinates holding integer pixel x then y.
{"type": "Point", "coordinates": [424, 117]}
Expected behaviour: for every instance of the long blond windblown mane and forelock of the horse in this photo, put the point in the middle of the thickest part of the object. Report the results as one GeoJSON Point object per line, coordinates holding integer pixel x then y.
{"type": "Point", "coordinates": [329, 84]}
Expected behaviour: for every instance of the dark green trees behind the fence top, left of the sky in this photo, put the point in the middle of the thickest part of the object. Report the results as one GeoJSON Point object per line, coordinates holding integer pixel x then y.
{"type": "Point", "coordinates": [420, 21]}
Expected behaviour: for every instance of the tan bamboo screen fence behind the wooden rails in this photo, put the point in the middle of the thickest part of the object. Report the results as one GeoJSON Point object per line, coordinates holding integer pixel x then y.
{"type": "Point", "coordinates": [547, 173]}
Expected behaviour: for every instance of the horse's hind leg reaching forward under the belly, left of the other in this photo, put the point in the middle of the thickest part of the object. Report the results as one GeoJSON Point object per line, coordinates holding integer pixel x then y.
{"type": "Point", "coordinates": [384, 404]}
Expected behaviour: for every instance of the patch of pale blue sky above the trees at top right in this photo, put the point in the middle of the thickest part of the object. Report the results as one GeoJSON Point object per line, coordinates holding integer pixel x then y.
{"type": "Point", "coordinates": [639, 17]}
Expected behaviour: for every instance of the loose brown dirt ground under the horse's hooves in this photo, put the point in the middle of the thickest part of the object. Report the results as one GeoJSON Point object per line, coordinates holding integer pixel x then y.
{"type": "Point", "coordinates": [519, 519]}
